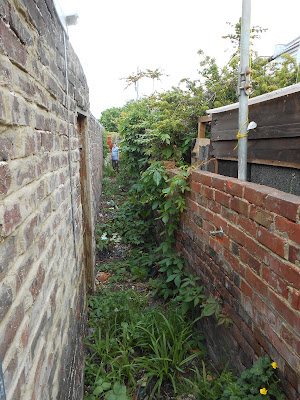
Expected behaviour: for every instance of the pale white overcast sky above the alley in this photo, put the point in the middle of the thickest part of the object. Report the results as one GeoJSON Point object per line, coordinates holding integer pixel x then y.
{"type": "Point", "coordinates": [113, 38]}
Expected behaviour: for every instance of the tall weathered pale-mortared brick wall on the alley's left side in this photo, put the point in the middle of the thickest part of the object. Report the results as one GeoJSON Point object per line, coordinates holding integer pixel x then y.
{"type": "Point", "coordinates": [42, 290]}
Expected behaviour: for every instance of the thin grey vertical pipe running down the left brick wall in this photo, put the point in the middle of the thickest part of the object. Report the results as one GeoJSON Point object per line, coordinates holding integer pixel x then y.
{"type": "Point", "coordinates": [70, 154]}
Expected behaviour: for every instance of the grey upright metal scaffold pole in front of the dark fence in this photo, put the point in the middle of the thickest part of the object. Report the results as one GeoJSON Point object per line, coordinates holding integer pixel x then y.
{"type": "Point", "coordinates": [243, 98]}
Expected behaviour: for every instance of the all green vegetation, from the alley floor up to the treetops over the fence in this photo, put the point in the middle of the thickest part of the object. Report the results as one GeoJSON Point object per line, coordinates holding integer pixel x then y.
{"type": "Point", "coordinates": [139, 346]}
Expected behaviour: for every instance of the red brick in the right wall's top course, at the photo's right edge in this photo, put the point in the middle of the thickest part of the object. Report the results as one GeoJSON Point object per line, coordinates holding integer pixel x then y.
{"type": "Point", "coordinates": [283, 204]}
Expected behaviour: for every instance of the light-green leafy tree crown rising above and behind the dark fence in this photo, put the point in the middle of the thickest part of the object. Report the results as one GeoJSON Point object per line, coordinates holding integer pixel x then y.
{"type": "Point", "coordinates": [163, 125]}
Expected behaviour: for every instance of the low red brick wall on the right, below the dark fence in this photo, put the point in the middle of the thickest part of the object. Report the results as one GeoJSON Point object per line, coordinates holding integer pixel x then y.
{"type": "Point", "coordinates": [254, 268]}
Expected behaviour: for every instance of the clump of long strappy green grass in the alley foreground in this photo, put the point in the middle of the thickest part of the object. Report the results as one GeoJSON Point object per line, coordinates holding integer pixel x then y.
{"type": "Point", "coordinates": [131, 344]}
